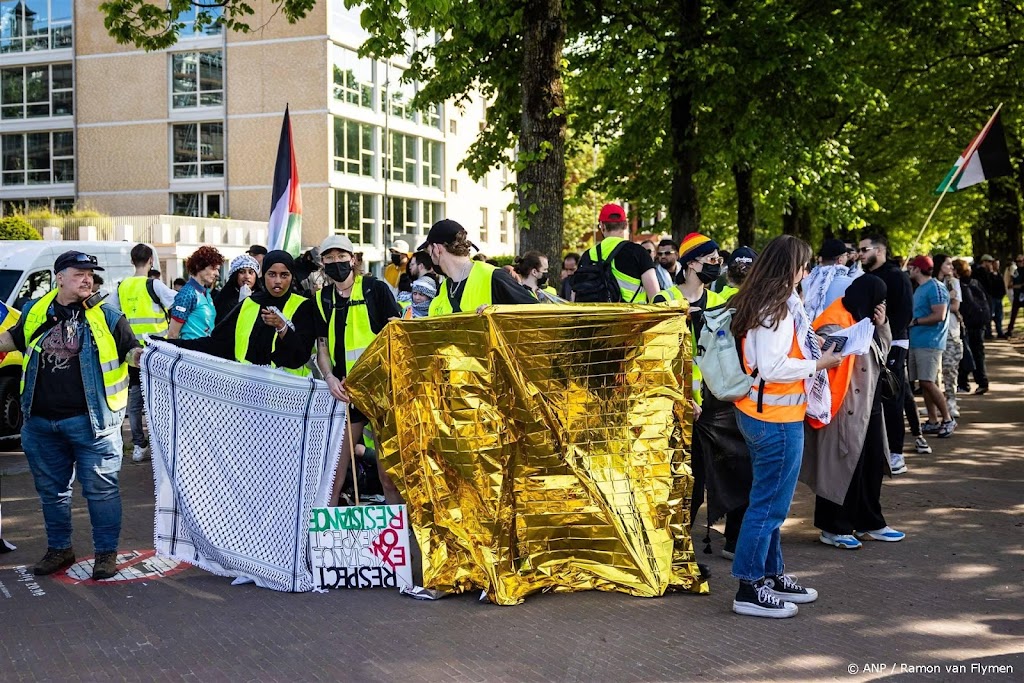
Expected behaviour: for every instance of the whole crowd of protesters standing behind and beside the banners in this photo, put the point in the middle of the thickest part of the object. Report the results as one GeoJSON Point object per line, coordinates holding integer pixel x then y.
{"type": "Point", "coordinates": [806, 410]}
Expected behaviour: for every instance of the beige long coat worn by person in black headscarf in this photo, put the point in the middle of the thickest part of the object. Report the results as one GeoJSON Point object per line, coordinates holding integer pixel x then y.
{"type": "Point", "coordinates": [831, 454]}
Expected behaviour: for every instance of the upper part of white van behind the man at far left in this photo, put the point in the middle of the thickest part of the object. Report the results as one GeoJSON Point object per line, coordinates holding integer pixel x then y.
{"type": "Point", "coordinates": [27, 267]}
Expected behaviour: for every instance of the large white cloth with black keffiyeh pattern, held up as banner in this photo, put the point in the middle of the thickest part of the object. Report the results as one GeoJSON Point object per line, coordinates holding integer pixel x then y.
{"type": "Point", "coordinates": [241, 456]}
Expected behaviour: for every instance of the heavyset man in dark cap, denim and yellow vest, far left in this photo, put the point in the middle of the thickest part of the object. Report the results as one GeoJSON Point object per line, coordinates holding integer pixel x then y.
{"type": "Point", "coordinates": [74, 395]}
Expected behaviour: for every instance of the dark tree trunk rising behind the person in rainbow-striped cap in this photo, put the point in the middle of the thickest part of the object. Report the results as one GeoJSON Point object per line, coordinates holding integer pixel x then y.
{"type": "Point", "coordinates": [685, 204]}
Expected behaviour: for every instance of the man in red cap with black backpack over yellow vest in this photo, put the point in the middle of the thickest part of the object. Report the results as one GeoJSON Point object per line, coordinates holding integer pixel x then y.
{"type": "Point", "coordinates": [632, 266]}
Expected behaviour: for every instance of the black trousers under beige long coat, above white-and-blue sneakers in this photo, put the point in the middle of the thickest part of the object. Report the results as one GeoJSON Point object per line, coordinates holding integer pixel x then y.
{"type": "Point", "coordinates": [862, 510]}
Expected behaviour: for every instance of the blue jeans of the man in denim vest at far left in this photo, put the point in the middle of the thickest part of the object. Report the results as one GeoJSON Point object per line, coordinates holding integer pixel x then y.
{"type": "Point", "coordinates": [57, 451]}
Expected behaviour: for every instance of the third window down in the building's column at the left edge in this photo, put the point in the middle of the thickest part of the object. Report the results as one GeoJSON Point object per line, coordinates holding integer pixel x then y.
{"type": "Point", "coordinates": [37, 159]}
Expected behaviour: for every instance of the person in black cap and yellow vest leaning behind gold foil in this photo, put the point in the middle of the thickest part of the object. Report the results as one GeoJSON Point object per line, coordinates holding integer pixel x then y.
{"type": "Point", "coordinates": [470, 286]}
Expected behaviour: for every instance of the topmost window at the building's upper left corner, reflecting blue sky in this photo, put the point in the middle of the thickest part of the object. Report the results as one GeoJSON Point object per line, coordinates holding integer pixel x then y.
{"type": "Point", "coordinates": [35, 25]}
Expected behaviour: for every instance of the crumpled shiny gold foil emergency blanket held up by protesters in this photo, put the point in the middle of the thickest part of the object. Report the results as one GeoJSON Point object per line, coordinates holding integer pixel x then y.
{"type": "Point", "coordinates": [540, 448]}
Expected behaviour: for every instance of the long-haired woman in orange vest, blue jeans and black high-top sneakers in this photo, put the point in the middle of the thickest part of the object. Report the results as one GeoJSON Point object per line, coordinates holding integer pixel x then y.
{"type": "Point", "coordinates": [780, 345]}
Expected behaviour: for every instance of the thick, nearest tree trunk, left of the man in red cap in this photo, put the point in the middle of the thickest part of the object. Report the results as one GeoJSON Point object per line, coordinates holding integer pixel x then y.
{"type": "Point", "coordinates": [542, 142]}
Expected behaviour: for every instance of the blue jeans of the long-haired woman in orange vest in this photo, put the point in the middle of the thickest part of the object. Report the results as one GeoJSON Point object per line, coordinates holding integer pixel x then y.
{"type": "Point", "coordinates": [777, 452]}
